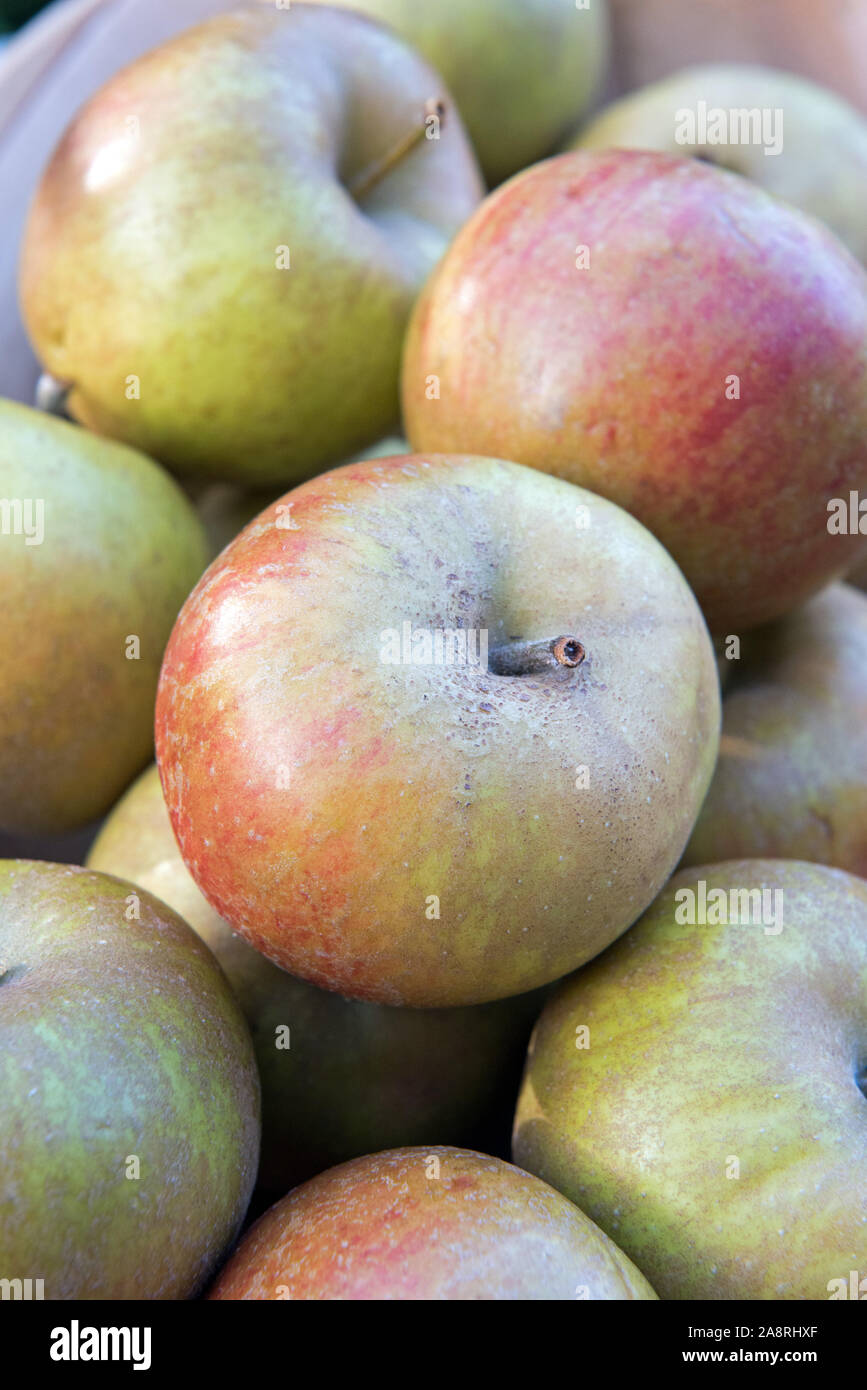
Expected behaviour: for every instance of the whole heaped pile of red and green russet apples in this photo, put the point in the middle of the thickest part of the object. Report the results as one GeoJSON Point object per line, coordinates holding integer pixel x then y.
{"type": "Point", "coordinates": [479, 559]}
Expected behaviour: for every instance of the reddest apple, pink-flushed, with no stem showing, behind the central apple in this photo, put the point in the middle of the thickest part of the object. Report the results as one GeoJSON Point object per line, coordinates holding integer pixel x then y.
{"type": "Point", "coordinates": [670, 336]}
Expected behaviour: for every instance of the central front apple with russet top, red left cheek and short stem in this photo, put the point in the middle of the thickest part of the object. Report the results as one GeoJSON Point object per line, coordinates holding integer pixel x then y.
{"type": "Point", "coordinates": [433, 833]}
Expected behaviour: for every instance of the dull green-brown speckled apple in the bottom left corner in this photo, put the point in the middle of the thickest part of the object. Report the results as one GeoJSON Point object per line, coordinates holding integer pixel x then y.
{"type": "Point", "coordinates": [129, 1092]}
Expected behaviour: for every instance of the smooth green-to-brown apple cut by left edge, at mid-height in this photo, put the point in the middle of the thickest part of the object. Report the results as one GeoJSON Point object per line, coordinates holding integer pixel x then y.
{"type": "Point", "coordinates": [90, 596]}
